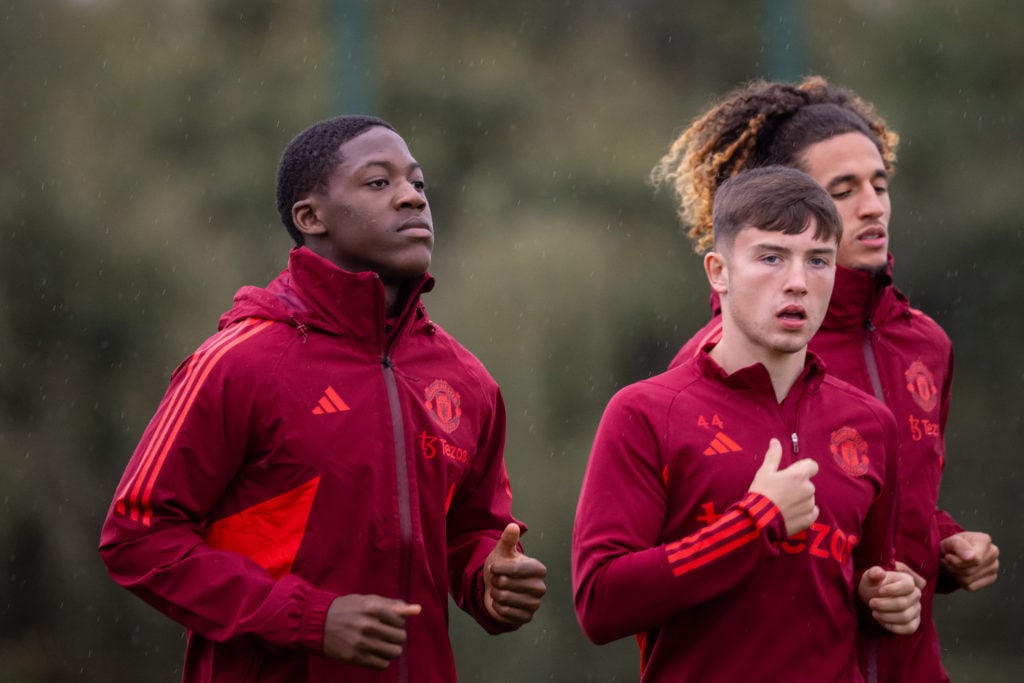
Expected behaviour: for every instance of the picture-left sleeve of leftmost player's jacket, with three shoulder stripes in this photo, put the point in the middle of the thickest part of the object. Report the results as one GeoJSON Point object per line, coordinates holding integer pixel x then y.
{"type": "Point", "coordinates": [152, 540]}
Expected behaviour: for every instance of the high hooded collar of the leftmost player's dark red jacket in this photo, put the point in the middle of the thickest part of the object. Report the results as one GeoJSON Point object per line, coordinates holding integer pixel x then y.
{"type": "Point", "coordinates": [313, 292]}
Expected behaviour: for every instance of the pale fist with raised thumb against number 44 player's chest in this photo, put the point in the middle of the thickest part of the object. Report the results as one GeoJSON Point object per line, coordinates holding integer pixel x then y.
{"type": "Point", "coordinates": [791, 490]}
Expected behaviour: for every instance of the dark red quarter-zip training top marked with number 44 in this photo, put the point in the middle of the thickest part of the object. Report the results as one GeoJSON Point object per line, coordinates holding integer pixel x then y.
{"type": "Point", "coordinates": [670, 546]}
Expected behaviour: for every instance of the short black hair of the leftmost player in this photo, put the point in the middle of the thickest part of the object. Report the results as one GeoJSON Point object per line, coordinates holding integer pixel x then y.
{"type": "Point", "coordinates": [312, 157]}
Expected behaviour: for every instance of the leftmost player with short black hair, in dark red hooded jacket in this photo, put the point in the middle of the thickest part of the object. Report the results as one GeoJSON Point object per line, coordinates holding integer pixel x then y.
{"type": "Point", "coordinates": [328, 468]}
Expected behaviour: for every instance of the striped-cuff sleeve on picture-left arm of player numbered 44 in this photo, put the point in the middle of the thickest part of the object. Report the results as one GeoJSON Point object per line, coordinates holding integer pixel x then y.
{"type": "Point", "coordinates": [626, 579]}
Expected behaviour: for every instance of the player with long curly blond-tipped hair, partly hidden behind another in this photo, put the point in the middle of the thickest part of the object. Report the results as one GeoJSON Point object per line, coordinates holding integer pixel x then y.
{"type": "Point", "coordinates": [872, 336]}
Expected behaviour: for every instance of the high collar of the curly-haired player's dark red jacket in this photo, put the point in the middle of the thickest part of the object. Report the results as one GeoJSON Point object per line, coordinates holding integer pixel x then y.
{"type": "Point", "coordinates": [861, 296]}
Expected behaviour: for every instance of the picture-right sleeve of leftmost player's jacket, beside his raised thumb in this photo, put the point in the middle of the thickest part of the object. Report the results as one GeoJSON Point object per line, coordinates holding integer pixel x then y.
{"type": "Point", "coordinates": [480, 513]}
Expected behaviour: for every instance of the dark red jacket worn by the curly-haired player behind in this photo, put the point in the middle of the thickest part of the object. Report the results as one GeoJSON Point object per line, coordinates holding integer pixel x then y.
{"type": "Point", "coordinates": [873, 338]}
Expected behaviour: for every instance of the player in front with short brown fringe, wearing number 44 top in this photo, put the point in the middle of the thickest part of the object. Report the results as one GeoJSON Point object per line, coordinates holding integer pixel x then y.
{"type": "Point", "coordinates": [728, 565]}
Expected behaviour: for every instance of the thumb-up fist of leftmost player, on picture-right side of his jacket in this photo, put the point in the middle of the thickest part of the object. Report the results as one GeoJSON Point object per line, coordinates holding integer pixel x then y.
{"type": "Point", "coordinates": [514, 583]}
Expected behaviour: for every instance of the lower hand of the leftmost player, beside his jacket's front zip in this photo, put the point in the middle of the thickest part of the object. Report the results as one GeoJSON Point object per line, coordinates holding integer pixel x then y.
{"type": "Point", "coordinates": [367, 630]}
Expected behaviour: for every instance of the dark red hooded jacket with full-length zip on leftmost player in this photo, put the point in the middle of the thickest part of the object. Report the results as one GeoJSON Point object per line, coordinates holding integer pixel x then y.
{"type": "Point", "coordinates": [313, 449]}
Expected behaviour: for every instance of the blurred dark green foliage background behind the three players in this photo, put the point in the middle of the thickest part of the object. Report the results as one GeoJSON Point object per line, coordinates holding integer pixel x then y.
{"type": "Point", "coordinates": [139, 144]}
